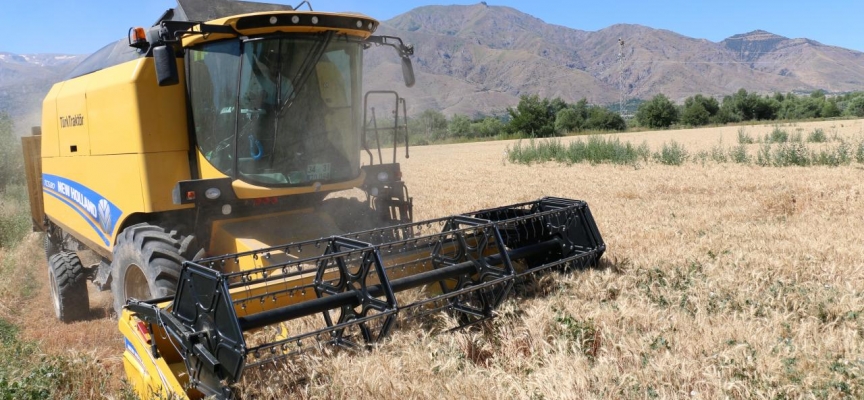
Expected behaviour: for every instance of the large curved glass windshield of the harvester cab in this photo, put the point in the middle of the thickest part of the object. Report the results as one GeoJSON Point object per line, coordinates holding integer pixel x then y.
{"type": "Point", "coordinates": [279, 110]}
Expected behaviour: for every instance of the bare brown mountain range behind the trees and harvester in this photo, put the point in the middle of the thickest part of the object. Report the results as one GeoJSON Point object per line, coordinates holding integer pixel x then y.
{"type": "Point", "coordinates": [480, 59]}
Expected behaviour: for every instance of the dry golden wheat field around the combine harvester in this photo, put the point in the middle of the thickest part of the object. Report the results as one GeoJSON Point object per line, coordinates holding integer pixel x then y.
{"type": "Point", "coordinates": [720, 281]}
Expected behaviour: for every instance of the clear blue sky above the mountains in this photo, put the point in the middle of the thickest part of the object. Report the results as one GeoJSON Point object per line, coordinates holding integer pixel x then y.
{"type": "Point", "coordinates": [84, 26]}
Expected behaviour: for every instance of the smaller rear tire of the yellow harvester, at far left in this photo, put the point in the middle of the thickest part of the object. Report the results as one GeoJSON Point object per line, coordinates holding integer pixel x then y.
{"type": "Point", "coordinates": [68, 287]}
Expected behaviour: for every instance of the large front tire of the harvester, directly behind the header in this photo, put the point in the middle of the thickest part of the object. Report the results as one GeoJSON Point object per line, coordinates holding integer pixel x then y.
{"type": "Point", "coordinates": [147, 261]}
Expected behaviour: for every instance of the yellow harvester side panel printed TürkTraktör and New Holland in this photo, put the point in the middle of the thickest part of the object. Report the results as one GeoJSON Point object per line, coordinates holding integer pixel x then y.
{"type": "Point", "coordinates": [115, 144]}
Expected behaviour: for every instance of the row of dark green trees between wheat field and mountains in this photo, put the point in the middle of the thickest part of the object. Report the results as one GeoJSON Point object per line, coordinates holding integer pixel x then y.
{"type": "Point", "coordinates": [534, 116]}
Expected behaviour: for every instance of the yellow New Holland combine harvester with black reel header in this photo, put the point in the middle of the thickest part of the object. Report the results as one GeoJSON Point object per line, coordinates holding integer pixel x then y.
{"type": "Point", "coordinates": [193, 160]}
